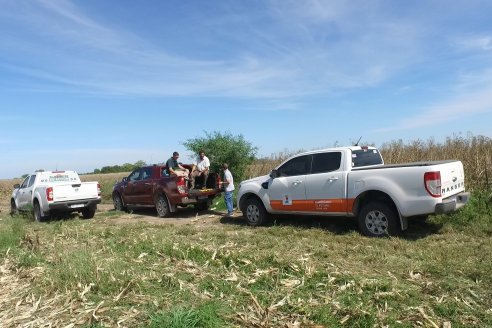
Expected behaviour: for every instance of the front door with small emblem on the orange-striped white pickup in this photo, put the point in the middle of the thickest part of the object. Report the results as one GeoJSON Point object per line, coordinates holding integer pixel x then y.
{"type": "Point", "coordinates": [287, 191]}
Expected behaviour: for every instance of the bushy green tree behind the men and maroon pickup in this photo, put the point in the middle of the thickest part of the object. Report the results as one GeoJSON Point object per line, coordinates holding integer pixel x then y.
{"type": "Point", "coordinates": [225, 148]}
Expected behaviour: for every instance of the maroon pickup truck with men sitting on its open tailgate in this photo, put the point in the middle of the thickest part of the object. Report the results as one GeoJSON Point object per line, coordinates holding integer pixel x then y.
{"type": "Point", "coordinates": [151, 186]}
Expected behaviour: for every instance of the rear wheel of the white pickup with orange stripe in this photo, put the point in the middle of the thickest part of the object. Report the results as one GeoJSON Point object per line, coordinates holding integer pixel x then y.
{"type": "Point", "coordinates": [377, 219]}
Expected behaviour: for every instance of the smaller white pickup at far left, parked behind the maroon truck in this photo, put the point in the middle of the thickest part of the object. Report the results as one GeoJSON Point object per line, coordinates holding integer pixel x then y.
{"type": "Point", "coordinates": [48, 192]}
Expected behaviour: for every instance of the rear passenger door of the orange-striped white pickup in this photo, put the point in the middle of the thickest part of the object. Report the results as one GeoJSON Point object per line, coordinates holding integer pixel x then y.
{"type": "Point", "coordinates": [325, 185]}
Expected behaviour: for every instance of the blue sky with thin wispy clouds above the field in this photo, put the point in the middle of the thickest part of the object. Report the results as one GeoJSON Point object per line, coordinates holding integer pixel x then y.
{"type": "Point", "coordinates": [89, 83]}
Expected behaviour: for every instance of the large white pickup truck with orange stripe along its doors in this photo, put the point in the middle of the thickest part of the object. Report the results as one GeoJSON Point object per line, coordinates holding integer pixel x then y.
{"type": "Point", "coordinates": [354, 182]}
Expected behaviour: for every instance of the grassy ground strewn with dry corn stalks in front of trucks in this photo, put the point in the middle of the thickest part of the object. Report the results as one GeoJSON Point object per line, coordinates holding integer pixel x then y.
{"type": "Point", "coordinates": [296, 272]}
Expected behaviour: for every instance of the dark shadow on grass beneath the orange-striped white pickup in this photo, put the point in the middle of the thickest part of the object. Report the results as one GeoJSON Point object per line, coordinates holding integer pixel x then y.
{"type": "Point", "coordinates": [417, 228]}
